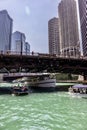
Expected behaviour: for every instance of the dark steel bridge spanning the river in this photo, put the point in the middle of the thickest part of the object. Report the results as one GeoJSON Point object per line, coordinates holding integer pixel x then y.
{"type": "Point", "coordinates": [43, 62]}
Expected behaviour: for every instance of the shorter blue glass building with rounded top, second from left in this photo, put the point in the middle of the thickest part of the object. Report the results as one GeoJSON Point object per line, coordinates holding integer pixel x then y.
{"type": "Point", "coordinates": [18, 43]}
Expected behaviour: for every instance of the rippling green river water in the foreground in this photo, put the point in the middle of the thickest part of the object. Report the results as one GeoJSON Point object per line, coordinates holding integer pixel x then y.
{"type": "Point", "coordinates": [43, 111]}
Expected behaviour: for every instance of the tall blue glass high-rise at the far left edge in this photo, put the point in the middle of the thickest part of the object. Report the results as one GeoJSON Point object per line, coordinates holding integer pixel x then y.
{"type": "Point", "coordinates": [5, 31]}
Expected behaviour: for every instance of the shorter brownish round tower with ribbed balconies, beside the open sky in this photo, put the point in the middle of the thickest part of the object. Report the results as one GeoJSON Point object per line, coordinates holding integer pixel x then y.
{"type": "Point", "coordinates": [53, 36]}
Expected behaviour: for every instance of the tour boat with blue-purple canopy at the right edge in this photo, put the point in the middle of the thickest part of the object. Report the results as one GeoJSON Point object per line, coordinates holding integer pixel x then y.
{"type": "Point", "coordinates": [78, 90]}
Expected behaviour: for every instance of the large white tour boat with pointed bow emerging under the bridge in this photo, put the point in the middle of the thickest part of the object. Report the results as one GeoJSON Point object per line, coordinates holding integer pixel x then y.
{"type": "Point", "coordinates": [43, 82]}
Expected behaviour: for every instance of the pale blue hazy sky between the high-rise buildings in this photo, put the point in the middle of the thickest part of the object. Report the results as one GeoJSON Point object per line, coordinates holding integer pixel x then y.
{"type": "Point", "coordinates": [31, 18]}
